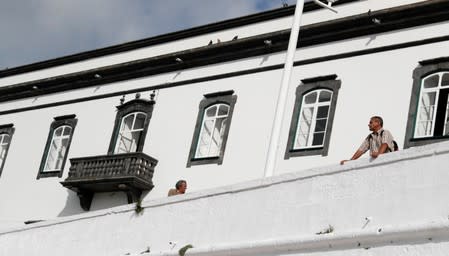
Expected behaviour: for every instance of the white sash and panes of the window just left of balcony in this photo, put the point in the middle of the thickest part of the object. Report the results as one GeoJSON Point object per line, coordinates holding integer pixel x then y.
{"type": "Point", "coordinates": [58, 148]}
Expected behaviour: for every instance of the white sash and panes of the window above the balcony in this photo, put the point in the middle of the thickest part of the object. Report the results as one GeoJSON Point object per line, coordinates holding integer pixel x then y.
{"type": "Point", "coordinates": [130, 132]}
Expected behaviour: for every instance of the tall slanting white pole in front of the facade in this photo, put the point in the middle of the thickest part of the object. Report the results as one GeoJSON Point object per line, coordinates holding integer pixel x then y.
{"type": "Point", "coordinates": [273, 148]}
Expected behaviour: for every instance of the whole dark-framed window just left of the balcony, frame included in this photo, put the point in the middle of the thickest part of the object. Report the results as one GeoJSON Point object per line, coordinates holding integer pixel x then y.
{"type": "Point", "coordinates": [57, 146]}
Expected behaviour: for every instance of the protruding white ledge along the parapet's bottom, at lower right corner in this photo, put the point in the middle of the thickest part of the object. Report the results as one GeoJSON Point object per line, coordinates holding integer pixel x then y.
{"type": "Point", "coordinates": [417, 234]}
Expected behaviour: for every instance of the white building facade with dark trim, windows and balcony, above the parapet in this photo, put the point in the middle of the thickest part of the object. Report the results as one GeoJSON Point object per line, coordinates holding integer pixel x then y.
{"type": "Point", "coordinates": [122, 124]}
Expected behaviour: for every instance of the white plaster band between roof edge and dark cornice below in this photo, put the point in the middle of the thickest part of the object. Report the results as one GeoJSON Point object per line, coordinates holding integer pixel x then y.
{"type": "Point", "coordinates": [316, 16]}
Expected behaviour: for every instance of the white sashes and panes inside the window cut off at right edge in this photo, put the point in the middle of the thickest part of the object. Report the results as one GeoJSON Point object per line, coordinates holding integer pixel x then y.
{"type": "Point", "coordinates": [428, 102]}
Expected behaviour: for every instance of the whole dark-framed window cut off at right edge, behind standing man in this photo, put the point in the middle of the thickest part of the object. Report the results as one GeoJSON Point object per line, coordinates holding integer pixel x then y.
{"type": "Point", "coordinates": [428, 119]}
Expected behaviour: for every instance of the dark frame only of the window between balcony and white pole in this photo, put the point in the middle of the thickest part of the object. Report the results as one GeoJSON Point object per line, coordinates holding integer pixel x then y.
{"type": "Point", "coordinates": [226, 97]}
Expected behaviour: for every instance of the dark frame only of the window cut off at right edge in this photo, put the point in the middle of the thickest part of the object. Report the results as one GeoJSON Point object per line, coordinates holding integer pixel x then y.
{"type": "Point", "coordinates": [426, 68]}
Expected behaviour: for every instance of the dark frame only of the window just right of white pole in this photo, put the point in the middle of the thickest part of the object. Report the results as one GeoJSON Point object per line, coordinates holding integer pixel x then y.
{"type": "Point", "coordinates": [328, 82]}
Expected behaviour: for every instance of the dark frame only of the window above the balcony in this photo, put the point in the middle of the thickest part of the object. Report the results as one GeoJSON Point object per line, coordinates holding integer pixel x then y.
{"type": "Point", "coordinates": [133, 106]}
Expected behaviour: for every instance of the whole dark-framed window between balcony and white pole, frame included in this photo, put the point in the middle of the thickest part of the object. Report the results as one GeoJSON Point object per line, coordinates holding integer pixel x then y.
{"type": "Point", "coordinates": [212, 128]}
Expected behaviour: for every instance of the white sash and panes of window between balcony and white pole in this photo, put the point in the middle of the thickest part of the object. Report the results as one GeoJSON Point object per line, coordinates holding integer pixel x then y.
{"type": "Point", "coordinates": [212, 130]}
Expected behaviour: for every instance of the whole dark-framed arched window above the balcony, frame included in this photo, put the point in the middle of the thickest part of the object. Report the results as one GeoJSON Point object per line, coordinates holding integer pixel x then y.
{"type": "Point", "coordinates": [131, 125]}
